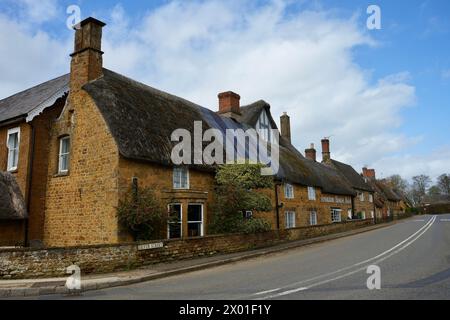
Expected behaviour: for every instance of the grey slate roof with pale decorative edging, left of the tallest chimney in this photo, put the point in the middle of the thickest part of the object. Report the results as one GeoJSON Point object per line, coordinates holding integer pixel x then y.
{"type": "Point", "coordinates": [23, 104]}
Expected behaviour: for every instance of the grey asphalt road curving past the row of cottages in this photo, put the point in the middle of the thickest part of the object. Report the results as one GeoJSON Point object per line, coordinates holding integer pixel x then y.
{"type": "Point", "coordinates": [413, 257]}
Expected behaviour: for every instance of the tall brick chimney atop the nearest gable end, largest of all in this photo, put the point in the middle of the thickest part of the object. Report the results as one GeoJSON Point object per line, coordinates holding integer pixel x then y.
{"type": "Point", "coordinates": [87, 60]}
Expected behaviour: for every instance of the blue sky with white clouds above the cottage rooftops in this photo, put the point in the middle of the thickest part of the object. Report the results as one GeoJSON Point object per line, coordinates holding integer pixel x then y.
{"type": "Point", "coordinates": [382, 95]}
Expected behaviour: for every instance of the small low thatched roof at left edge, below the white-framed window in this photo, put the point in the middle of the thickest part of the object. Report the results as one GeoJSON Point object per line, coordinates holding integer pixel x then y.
{"type": "Point", "coordinates": [12, 204]}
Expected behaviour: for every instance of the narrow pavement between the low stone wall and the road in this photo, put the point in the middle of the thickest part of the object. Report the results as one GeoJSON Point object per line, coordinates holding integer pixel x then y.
{"type": "Point", "coordinates": [56, 286]}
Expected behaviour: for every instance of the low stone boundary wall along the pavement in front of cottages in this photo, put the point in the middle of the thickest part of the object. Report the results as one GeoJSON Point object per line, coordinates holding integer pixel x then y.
{"type": "Point", "coordinates": [52, 262]}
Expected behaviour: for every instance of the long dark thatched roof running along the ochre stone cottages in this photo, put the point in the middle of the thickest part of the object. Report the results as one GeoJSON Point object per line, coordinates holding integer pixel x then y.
{"type": "Point", "coordinates": [142, 120]}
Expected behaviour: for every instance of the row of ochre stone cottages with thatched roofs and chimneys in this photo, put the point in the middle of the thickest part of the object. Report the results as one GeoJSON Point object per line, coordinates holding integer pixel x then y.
{"type": "Point", "coordinates": [75, 146]}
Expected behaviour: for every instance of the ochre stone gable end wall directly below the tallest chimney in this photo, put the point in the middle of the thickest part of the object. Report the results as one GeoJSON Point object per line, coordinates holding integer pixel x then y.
{"type": "Point", "coordinates": [81, 205]}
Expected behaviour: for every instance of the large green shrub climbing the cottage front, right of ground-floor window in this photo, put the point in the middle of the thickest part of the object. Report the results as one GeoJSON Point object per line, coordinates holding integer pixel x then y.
{"type": "Point", "coordinates": [237, 192]}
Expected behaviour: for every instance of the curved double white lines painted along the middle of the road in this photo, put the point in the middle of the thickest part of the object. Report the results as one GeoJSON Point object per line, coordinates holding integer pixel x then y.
{"type": "Point", "coordinates": [403, 245]}
